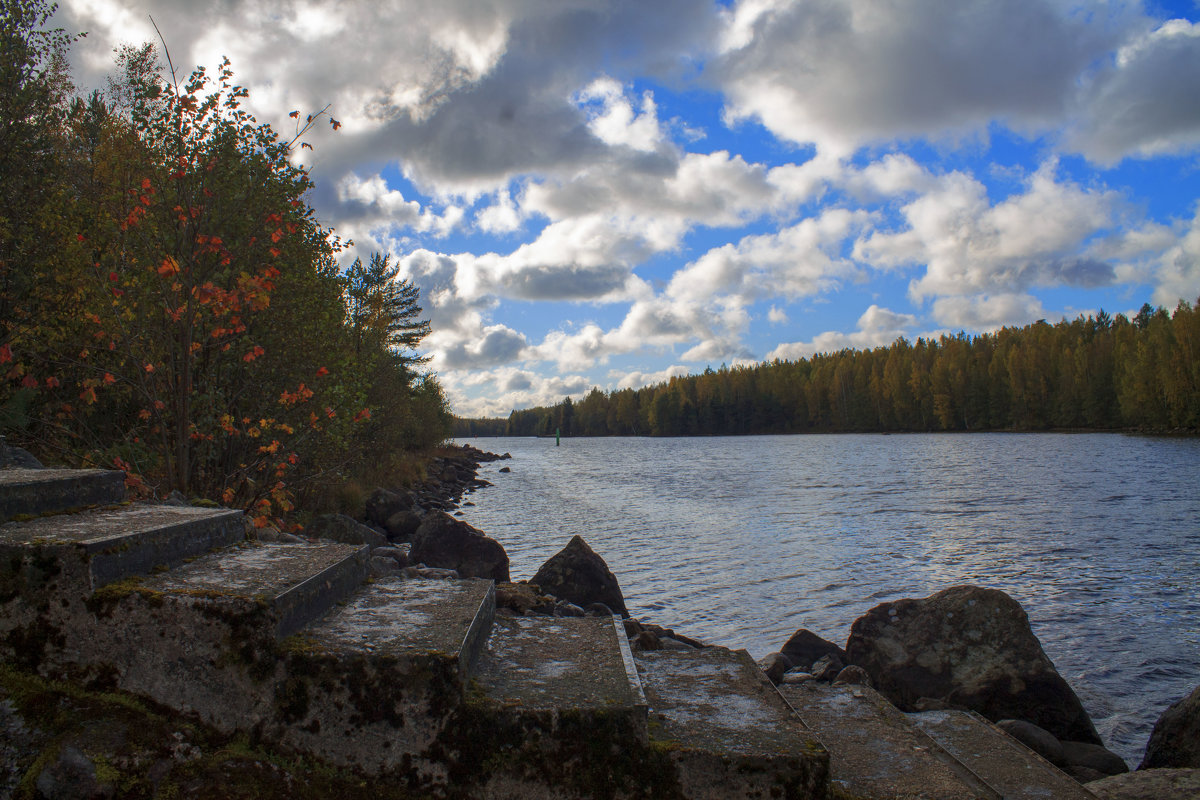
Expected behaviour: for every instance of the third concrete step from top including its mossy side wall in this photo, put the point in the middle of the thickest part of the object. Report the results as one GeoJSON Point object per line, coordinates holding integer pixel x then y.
{"type": "Point", "coordinates": [205, 637]}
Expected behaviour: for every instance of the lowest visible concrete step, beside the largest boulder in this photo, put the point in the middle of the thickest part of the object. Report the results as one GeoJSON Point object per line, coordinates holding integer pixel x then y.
{"type": "Point", "coordinates": [1007, 766]}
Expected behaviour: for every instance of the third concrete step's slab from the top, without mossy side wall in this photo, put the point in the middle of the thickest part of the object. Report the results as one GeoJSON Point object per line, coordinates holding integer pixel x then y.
{"type": "Point", "coordinates": [299, 582]}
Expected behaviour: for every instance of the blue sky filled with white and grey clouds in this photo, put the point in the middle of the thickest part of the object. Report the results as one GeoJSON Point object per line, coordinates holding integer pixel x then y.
{"type": "Point", "coordinates": [609, 193]}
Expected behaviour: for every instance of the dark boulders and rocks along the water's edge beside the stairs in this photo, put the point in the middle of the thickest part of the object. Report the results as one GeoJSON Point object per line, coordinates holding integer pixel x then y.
{"type": "Point", "coordinates": [965, 648]}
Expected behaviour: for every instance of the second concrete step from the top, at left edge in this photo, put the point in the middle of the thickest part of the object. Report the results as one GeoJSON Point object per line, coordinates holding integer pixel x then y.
{"type": "Point", "coordinates": [124, 542]}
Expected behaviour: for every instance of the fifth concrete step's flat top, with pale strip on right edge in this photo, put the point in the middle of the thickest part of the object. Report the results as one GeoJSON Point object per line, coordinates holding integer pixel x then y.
{"type": "Point", "coordinates": [550, 663]}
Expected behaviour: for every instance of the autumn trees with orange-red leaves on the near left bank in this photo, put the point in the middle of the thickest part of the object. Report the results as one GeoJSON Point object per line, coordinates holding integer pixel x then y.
{"type": "Point", "coordinates": [170, 303]}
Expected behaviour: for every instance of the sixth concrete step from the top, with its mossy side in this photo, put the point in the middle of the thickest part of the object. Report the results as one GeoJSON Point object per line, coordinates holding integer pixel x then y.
{"type": "Point", "coordinates": [728, 731]}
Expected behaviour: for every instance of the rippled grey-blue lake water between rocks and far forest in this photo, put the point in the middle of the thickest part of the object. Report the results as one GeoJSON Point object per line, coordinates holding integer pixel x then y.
{"type": "Point", "coordinates": [741, 542]}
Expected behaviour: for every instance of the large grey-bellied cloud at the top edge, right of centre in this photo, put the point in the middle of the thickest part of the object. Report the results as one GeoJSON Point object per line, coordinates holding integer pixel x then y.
{"type": "Point", "coordinates": [842, 74]}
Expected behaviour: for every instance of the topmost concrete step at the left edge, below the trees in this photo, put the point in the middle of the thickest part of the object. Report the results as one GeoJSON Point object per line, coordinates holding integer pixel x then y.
{"type": "Point", "coordinates": [35, 492]}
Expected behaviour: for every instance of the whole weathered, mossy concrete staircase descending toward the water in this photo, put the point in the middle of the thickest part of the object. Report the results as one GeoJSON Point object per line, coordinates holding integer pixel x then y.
{"type": "Point", "coordinates": [422, 682]}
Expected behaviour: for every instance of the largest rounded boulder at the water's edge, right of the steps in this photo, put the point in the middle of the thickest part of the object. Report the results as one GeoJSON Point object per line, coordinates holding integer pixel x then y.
{"type": "Point", "coordinates": [970, 648]}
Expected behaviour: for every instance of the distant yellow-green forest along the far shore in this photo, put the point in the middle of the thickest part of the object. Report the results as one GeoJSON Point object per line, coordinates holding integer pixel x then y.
{"type": "Point", "coordinates": [1094, 372]}
